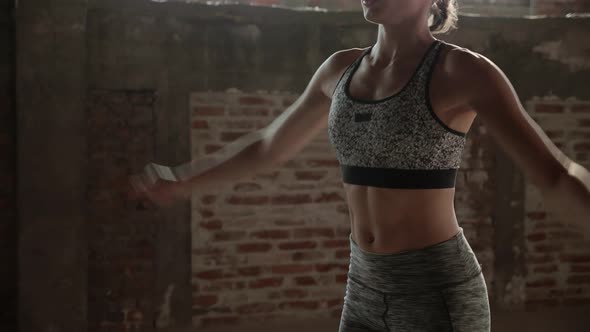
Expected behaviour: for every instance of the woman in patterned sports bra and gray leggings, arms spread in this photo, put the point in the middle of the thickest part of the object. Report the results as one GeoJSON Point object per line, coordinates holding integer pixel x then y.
{"type": "Point", "coordinates": [397, 114]}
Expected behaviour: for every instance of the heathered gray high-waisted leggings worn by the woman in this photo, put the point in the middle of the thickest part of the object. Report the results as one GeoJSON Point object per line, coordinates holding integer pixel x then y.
{"type": "Point", "coordinates": [437, 288]}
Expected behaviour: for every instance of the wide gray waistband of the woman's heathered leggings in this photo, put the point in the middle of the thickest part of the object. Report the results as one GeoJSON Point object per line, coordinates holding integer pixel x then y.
{"type": "Point", "coordinates": [440, 265]}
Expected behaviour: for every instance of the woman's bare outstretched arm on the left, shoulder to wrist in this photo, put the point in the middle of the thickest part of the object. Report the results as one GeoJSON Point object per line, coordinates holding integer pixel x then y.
{"type": "Point", "coordinates": [279, 141]}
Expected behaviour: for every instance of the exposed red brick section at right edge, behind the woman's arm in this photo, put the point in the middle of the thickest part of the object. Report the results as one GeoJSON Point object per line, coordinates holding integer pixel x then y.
{"type": "Point", "coordinates": [558, 259]}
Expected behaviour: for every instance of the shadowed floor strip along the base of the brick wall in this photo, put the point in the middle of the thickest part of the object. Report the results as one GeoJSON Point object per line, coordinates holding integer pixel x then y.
{"type": "Point", "coordinates": [572, 320]}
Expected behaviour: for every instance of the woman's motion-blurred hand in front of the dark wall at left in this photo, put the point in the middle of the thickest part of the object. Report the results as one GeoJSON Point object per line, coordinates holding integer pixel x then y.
{"type": "Point", "coordinates": [158, 190]}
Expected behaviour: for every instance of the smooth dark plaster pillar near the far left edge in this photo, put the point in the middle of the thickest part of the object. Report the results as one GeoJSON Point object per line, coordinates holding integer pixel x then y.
{"type": "Point", "coordinates": [50, 93]}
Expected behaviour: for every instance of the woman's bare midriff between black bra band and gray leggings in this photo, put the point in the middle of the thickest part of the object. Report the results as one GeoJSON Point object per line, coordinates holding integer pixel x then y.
{"type": "Point", "coordinates": [385, 220]}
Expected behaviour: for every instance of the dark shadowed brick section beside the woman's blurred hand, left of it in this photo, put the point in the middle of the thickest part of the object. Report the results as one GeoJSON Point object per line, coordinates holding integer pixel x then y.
{"type": "Point", "coordinates": [121, 231]}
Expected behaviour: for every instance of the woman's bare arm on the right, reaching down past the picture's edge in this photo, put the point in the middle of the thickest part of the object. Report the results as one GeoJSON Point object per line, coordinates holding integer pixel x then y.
{"type": "Point", "coordinates": [565, 184]}
